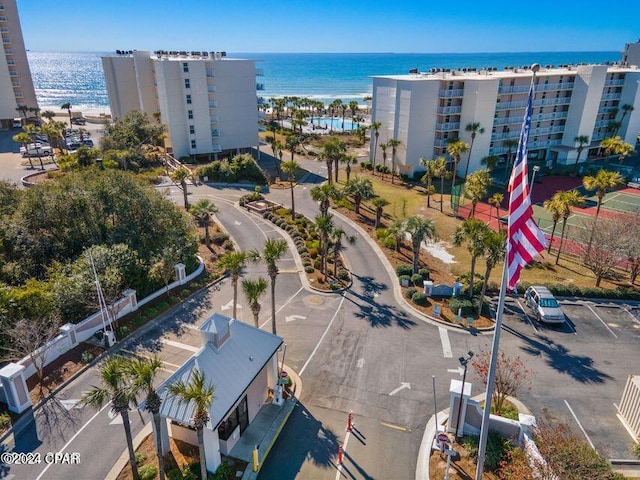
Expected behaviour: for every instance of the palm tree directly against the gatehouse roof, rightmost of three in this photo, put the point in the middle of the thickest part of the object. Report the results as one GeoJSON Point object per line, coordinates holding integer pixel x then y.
{"type": "Point", "coordinates": [196, 390]}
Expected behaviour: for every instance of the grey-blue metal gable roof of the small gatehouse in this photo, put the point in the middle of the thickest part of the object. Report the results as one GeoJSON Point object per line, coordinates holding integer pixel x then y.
{"type": "Point", "coordinates": [230, 368]}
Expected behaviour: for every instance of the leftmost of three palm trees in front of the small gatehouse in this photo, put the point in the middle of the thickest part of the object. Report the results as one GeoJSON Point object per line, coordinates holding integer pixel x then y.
{"type": "Point", "coordinates": [116, 389]}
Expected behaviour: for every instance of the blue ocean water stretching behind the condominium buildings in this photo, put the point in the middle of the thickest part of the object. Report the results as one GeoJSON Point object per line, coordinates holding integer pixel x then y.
{"type": "Point", "coordinates": [77, 77]}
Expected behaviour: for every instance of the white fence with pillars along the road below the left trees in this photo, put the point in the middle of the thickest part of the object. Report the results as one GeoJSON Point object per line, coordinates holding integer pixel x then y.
{"type": "Point", "coordinates": [72, 334]}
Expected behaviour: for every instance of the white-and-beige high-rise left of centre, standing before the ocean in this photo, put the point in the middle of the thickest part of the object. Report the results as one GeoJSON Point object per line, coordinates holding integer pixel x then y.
{"type": "Point", "coordinates": [207, 101]}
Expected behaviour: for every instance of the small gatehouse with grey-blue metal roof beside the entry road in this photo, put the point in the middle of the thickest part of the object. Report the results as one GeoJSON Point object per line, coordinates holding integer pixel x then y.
{"type": "Point", "coordinates": [240, 361]}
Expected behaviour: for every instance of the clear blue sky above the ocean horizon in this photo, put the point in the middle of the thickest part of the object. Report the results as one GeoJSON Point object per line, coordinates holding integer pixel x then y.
{"type": "Point", "coordinates": [328, 25]}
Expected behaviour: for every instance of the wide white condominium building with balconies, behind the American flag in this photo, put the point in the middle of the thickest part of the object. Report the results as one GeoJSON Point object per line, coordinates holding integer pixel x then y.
{"type": "Point", "coordinates": [425, 111]}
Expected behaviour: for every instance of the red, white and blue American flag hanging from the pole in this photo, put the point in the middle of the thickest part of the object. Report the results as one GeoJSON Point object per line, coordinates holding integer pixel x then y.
{"type": "Point", "coordinates": [525, 239]}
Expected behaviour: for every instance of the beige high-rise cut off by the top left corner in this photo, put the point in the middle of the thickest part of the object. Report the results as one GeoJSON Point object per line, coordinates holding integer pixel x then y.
{"type": "Point", "coordinates": [16, 86]}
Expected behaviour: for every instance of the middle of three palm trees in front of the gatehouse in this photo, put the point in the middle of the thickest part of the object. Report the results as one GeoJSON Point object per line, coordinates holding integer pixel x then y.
{"type": "Point", "coordinates": [144, 372]}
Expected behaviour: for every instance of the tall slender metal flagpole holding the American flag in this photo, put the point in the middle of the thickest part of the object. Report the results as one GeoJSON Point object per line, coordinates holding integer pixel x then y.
{"type": "Point", "coordinates": [484, 431]}
